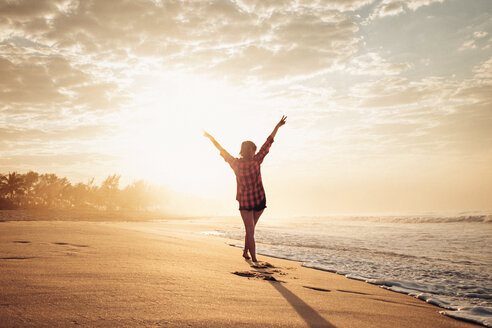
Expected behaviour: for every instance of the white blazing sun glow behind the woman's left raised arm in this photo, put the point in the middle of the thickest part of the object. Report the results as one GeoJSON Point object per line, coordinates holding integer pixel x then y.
{"type": "Point", "coordinates": [163, 143]}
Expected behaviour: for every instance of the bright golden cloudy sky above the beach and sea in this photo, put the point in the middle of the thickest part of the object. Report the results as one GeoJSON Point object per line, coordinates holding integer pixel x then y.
{"type": "Point", "coordinates": [389, 102]}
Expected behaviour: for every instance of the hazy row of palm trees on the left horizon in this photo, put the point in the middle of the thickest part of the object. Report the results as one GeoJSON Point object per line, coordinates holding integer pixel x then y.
{"type": "Point", "coordinates": [34, 190]}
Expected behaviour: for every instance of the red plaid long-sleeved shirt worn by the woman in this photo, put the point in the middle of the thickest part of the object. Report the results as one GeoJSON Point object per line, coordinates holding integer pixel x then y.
{"type": "Point", "coordinates": [250, 192]}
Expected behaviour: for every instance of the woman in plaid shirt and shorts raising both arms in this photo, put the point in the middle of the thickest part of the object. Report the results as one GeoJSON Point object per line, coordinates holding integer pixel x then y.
{"type": "Point", "coordinates": [250, 193]}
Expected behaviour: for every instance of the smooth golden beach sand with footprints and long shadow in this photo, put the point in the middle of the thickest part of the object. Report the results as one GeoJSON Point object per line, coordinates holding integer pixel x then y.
{"type": "Point", "coordinates": [168, 274]}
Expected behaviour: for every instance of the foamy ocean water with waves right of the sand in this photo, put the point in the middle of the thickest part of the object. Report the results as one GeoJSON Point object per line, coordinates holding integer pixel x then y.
{"type": "Point", "coordinates": [444, 260]}
